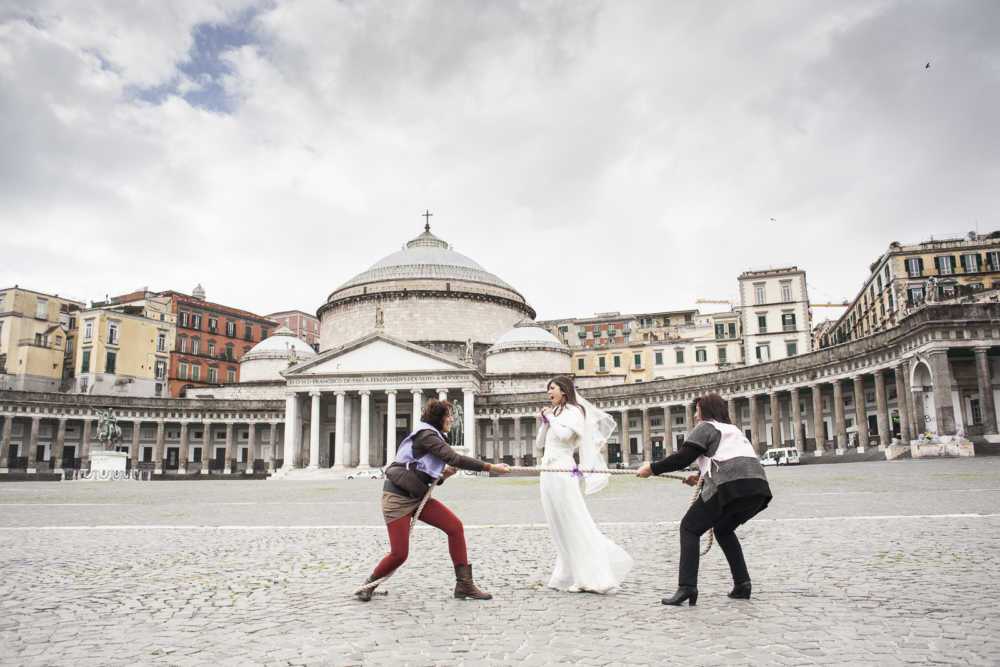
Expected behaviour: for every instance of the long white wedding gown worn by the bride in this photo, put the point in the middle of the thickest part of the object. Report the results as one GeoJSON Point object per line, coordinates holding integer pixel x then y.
{"type": "Point", "coordinates": [586, 560]}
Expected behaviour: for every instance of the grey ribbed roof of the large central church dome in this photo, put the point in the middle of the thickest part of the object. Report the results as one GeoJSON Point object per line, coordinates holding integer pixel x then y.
{"type": "Point", "coordinates": [426, 256]}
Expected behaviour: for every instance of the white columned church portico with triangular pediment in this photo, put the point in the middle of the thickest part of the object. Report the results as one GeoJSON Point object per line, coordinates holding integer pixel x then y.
{"type": "Point", "coordinates": [349, 407]}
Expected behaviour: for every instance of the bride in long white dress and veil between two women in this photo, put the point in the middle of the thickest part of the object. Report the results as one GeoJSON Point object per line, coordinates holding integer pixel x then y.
{"type": "Point", "coordinates": [586, 560]}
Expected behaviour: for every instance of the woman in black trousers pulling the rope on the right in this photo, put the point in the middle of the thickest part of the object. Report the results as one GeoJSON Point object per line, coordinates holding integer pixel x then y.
{"type": "Point", "coordinates": [734, 489]}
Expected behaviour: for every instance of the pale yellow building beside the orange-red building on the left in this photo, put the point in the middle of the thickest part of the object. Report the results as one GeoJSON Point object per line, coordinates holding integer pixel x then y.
{"type": "Point", "coordinates": [124, 351]}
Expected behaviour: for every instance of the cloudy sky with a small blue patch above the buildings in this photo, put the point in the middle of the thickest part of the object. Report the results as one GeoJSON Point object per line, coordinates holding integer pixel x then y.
{"type": "Point", "coordinates": [596, 155]}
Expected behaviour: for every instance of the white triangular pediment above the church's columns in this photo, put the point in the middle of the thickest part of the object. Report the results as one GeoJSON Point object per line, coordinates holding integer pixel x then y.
{"type": "Point", "coordinates": [376, 354]}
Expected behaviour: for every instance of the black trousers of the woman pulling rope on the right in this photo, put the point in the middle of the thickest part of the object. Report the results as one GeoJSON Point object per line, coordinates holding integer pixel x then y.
{"type": "Point", "coordinates": [698, 520]}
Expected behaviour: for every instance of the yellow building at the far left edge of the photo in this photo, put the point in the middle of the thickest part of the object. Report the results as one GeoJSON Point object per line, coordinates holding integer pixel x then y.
{"type": "Point", "coordinates": [36, 339]}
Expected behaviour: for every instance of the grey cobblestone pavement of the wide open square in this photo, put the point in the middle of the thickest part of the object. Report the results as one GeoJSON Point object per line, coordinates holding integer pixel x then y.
{"type": "Point", "coordinates": [877, 563]}
